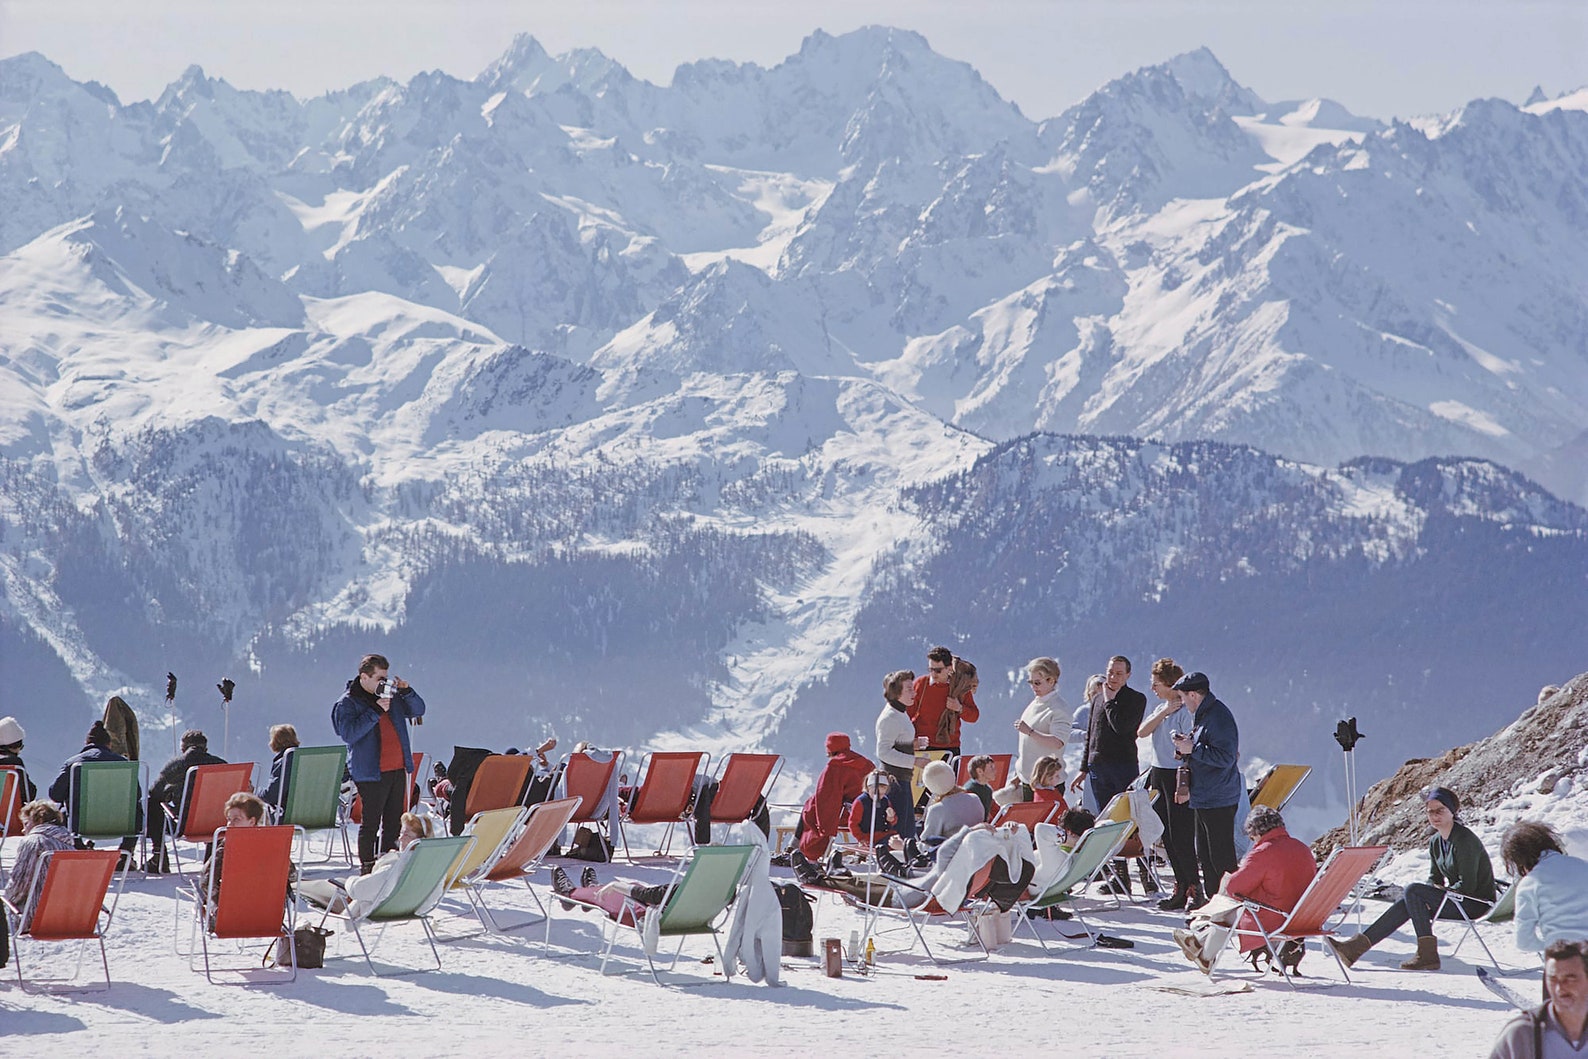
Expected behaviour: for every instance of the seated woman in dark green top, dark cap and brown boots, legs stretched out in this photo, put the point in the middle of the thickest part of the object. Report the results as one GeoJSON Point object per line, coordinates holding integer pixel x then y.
{"type": "Point", "coordinates": [1459, 866]}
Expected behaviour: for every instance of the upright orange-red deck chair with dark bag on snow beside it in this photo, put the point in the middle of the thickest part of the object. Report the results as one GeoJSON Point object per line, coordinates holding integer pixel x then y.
{"type": "Point", "coordinates": [253, 898]}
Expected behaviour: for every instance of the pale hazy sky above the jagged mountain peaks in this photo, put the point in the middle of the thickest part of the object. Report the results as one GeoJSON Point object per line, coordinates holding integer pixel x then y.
{"type": "Point", "coordinates": [1393, 58]}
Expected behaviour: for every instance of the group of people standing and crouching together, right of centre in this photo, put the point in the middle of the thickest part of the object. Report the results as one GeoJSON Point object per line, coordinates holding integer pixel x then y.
{"type": "Point", "coordinates": [1195, 764]}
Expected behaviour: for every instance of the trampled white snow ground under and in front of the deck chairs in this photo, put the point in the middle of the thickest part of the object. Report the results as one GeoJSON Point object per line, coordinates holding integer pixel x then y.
{"type": "Point", "coordinates": [495, 992]}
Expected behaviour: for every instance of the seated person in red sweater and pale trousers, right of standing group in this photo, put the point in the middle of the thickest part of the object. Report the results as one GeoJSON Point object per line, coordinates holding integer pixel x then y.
{"type": "Point", "coordinates": [1276, 872]}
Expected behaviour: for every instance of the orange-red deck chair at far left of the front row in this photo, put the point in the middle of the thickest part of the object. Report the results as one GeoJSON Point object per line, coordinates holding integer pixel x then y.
{"type": "Point", "coordinates": [66, 909]}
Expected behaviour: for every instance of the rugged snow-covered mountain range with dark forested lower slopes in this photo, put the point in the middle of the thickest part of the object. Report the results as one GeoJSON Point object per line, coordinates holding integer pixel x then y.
{"type": "Point", "coordinates": [622, 409]}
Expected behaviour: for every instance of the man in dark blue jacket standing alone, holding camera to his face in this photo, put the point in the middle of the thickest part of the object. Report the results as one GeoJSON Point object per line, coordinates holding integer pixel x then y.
{"type": "Point", "coordinates": [372, 720]}
